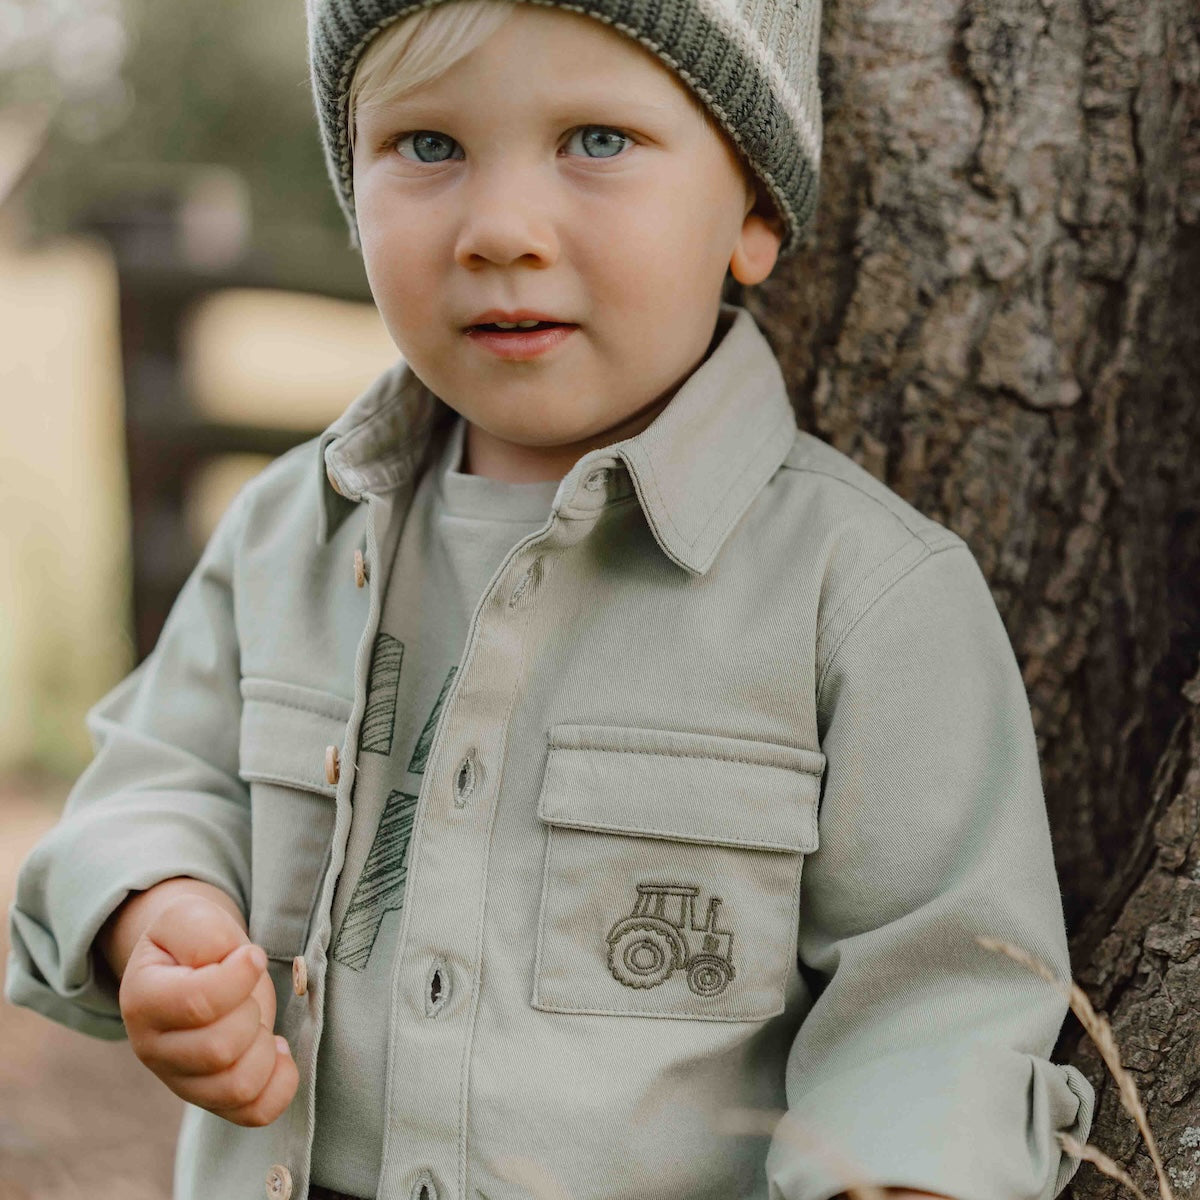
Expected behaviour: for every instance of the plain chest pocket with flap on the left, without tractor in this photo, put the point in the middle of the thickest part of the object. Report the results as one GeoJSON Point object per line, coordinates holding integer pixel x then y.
{"type": "Point", "coordinates": [285, 734]}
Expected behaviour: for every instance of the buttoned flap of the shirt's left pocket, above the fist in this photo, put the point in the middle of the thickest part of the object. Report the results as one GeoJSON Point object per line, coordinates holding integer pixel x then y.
{"type": "Point", "coordinates": [285, 731]}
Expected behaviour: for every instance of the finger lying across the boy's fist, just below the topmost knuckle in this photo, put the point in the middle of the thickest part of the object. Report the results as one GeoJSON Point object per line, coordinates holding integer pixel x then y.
{"type": "Point", "coordinates": [181, 998]}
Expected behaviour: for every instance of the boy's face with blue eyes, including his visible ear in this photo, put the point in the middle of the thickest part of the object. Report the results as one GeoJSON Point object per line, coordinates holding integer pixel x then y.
{"type": "Point", "coordinates": [560, 167]}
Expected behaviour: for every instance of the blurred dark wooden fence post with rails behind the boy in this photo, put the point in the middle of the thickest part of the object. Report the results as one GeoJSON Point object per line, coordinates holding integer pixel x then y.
{"type": "Point", "coordinates": [173, 245]}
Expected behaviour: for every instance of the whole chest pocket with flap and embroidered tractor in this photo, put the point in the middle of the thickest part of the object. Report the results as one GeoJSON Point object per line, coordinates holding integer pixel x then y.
{"type": "Point", "coordinates": [673, 872]}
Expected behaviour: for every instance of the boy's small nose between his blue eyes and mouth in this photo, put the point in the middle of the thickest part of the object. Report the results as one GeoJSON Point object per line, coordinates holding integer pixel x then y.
{"type": "Point", "coordinates": [507, 217]}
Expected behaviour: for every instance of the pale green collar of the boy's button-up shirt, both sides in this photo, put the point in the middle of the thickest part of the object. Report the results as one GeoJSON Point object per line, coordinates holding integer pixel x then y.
{"type": "Point", "coordinates": [695, 469]}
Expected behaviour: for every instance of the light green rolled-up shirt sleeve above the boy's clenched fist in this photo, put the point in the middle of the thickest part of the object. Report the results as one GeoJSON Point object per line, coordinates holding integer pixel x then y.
{"type": "Point", "coordinates": [160, 799]}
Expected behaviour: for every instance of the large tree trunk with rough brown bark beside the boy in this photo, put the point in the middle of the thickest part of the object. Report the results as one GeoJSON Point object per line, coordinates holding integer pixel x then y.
{"type": "Point", "coordinates": [1000, 317]}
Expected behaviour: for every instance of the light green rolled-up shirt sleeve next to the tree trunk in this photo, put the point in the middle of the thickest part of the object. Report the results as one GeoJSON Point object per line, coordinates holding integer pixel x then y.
{"type": "Point", "coordinates": [923, 1063]}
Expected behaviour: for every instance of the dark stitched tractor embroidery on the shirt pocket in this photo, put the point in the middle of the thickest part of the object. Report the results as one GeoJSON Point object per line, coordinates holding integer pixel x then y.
{"type": "Point", "coordinates": [647, 946]}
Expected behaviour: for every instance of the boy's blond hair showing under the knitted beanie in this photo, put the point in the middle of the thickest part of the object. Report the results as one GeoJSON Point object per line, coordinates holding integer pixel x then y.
{"type": "Point", "coordinates": [429, 41]}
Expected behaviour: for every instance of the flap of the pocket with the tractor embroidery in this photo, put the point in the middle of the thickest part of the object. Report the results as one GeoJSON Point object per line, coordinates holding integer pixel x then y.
{"type": "Point", "coordinates": [688, 787]}
